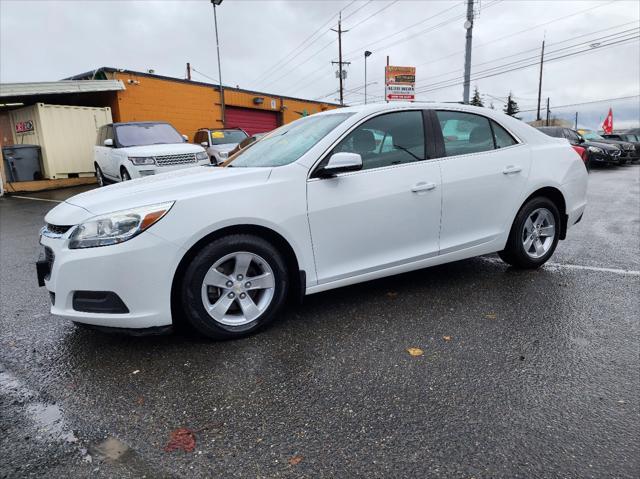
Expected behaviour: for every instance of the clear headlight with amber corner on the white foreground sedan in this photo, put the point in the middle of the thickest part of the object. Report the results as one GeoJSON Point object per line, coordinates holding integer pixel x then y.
{"type": "Point", "coordinates": [116, 227]}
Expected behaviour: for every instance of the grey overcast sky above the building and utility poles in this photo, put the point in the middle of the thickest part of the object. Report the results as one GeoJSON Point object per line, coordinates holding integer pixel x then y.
{"type": "Point", "coordinates": [286, 47]}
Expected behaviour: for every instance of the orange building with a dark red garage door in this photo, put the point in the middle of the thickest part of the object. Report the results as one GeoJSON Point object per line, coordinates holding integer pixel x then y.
{"type": "Point", "coordinates": [190, 105]}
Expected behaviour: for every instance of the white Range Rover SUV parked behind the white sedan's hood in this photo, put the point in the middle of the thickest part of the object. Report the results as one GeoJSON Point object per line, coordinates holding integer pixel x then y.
{"type": "Point", "coordinates": [125, 151]}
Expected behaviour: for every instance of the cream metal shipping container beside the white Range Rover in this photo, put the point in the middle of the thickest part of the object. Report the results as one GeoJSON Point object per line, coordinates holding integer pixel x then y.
{"type": "Point", "coordinates": [66, 135]}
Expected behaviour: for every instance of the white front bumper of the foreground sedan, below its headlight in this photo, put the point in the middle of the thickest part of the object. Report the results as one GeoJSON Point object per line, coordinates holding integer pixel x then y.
{"type": "Point", "coordinates": [139, 272]}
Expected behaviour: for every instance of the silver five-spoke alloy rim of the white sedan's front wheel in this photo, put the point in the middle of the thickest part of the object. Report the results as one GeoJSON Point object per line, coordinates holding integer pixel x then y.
{"type": "Point", "coordinates": [238, 288]}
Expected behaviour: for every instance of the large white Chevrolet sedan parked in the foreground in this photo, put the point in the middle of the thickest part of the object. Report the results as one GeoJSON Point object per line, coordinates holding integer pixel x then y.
{"type": "Point", "coordinates": [315, 205]}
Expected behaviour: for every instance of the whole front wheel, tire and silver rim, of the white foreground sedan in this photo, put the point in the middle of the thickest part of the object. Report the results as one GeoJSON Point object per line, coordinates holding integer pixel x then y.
{"type": "Point", "coordinates": [234, 286]}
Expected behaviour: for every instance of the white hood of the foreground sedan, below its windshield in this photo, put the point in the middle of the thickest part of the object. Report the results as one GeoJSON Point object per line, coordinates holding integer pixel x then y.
{"type": "Point", "coordinates": [200, 181]}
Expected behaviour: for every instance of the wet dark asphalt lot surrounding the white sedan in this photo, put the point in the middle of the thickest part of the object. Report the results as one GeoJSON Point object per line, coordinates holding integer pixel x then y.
{"type": "Point", "coordinates": [523, 374]}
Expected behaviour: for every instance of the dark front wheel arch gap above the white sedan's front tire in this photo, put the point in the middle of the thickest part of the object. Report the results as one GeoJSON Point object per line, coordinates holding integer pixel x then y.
{"type": "Point", "coordinates": [297, 278]}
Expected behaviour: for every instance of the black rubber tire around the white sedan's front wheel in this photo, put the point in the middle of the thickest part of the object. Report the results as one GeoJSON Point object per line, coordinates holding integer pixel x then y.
{"type": "Point", "coordinates": [191, 288]}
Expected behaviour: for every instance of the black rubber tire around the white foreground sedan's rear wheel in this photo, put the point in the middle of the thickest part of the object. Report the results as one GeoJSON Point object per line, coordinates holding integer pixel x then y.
{"type": "Point", "coordinates": [514, 252]}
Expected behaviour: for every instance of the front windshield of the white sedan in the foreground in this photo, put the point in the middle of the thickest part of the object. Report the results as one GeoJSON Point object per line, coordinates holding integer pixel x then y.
{"type": "Point", "coordinates": [289, 142]}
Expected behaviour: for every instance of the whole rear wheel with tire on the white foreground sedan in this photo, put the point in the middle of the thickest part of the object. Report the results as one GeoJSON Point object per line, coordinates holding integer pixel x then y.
{"type": "Point", "coordinates": [534, 234]}
